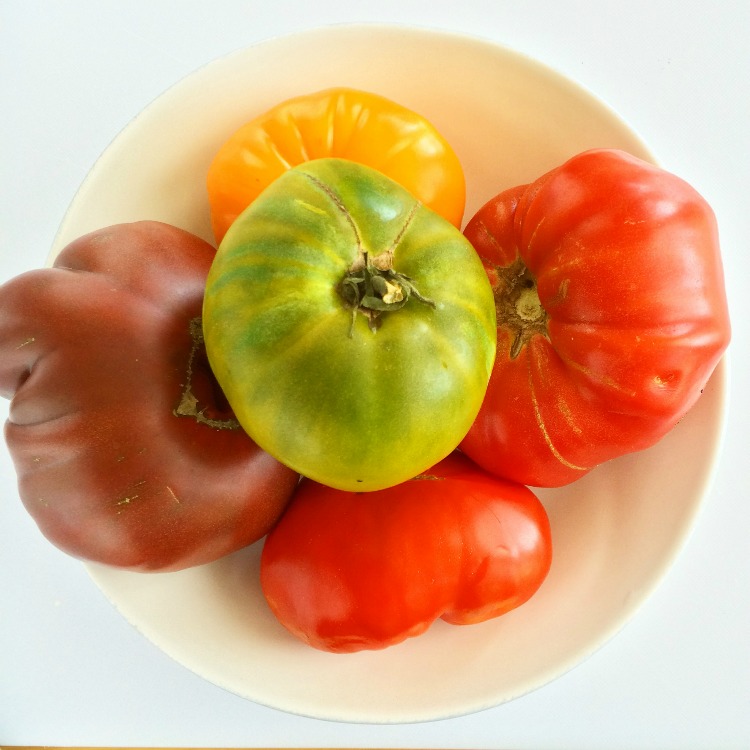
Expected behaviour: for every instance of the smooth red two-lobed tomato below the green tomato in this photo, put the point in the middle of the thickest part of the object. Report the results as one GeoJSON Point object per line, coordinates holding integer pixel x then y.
{"type": "Point", "coordinates": [347, 571]}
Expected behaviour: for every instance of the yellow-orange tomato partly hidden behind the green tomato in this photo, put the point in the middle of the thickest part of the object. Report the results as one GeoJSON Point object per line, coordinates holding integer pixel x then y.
{"type": "Point", "coordinates": [339, 122]}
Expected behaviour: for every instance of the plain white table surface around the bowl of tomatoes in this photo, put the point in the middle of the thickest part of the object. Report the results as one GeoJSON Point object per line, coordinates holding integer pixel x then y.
{"type": "Point", "coordinates": [73, 672]}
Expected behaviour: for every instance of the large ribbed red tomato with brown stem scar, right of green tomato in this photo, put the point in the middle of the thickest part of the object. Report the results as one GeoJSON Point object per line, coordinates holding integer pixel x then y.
{"type": "Point", "coordinates": [624, 261]}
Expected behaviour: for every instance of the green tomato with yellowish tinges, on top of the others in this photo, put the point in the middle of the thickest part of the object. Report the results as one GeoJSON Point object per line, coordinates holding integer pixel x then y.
{"type": "Point", "coordinates": [351, 328]}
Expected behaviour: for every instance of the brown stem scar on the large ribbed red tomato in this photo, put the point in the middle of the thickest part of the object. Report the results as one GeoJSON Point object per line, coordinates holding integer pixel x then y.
{"type": "Point", "coordinates": [517, 304]}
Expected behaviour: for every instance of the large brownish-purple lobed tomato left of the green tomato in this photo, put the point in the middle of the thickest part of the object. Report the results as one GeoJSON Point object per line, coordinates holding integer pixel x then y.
{"type": "Point", "coordinates": [96, 355]}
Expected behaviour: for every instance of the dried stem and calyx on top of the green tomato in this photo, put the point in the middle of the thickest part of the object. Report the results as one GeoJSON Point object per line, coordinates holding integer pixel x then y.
{"type": "Point", "coordinates": [372, 287]}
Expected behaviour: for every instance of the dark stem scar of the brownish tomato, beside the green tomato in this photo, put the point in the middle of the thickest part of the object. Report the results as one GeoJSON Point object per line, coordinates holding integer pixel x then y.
{"type": "Point", "coordinates": [200, 385]}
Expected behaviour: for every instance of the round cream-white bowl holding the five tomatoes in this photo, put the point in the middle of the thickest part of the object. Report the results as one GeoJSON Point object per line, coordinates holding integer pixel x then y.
{"type": "Point", "coordinates": [615, 532]}
